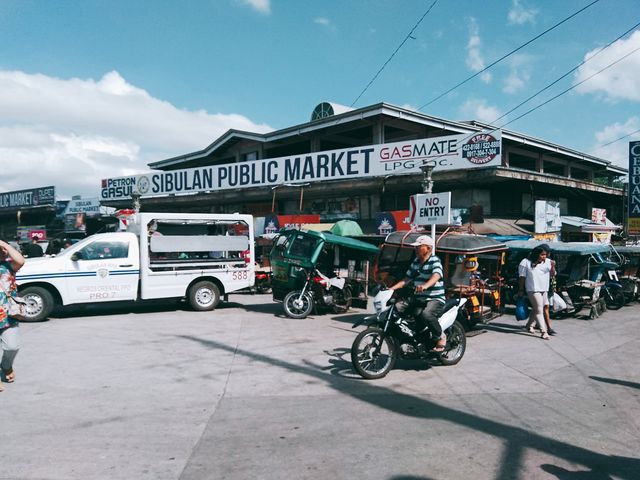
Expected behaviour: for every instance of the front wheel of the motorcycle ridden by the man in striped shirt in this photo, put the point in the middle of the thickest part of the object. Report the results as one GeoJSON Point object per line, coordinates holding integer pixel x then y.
{"type": "Point", "coordinates": [373, 355]}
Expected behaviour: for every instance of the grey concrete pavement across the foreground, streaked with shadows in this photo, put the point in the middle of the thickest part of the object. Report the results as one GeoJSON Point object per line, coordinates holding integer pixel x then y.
{"type": "Point", "coordinates": [243, 392]}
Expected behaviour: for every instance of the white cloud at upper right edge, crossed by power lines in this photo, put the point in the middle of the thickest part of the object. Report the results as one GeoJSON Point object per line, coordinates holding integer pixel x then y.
{"type": "Point", "coordinates": [621, 81]}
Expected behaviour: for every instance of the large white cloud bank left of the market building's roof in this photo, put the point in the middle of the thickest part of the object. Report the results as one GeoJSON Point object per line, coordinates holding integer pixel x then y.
{"type": "Point", "coordinates": [71, 133]}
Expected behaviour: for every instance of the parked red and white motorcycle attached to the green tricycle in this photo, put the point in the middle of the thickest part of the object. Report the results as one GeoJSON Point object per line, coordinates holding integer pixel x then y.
{"type": "Point", "coordinates": [318, 291]}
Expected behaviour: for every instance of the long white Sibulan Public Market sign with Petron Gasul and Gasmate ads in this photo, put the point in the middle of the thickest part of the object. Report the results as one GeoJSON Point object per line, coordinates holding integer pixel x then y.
{"type": "Point", "coordinates": [445, 153]}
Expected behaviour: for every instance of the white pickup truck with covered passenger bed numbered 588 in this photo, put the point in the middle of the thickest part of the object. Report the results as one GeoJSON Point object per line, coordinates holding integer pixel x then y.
{"type": "Point", "coordinates": [161, 255]}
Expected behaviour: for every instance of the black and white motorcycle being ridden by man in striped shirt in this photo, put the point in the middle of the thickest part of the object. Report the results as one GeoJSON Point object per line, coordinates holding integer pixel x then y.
{"type": "Point", "coordinates": [392, 335]}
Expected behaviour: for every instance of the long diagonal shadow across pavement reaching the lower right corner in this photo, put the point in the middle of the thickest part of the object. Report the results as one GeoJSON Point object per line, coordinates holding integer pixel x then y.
{"type": "Point", "coordinates": [517, 440]}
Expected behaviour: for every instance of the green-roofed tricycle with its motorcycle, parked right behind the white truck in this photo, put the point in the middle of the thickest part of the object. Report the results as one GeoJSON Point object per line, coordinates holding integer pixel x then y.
{"type": "Point", "coordinates": [319, 271]}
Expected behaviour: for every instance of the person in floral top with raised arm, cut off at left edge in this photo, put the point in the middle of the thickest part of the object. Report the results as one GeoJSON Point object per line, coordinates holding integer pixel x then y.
{"type": "Point", "coordinates": [10, 262]}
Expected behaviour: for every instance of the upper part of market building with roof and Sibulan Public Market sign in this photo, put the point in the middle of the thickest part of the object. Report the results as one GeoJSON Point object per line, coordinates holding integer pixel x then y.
{"type": "Point", "coordinates": [356, 163]}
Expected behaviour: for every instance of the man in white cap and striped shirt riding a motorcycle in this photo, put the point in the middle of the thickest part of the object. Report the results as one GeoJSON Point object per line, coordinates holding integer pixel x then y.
{"type": "Point", "coordinates": [426, 273]}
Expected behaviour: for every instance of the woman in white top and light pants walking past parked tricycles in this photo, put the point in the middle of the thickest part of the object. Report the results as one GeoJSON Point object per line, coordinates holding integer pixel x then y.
{"type": "Point", "coordinates": [534, 274]}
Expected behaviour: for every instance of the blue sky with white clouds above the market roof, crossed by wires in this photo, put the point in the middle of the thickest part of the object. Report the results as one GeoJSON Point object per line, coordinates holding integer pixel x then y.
{"type": "Point", "coordinates": [101, 88]}
